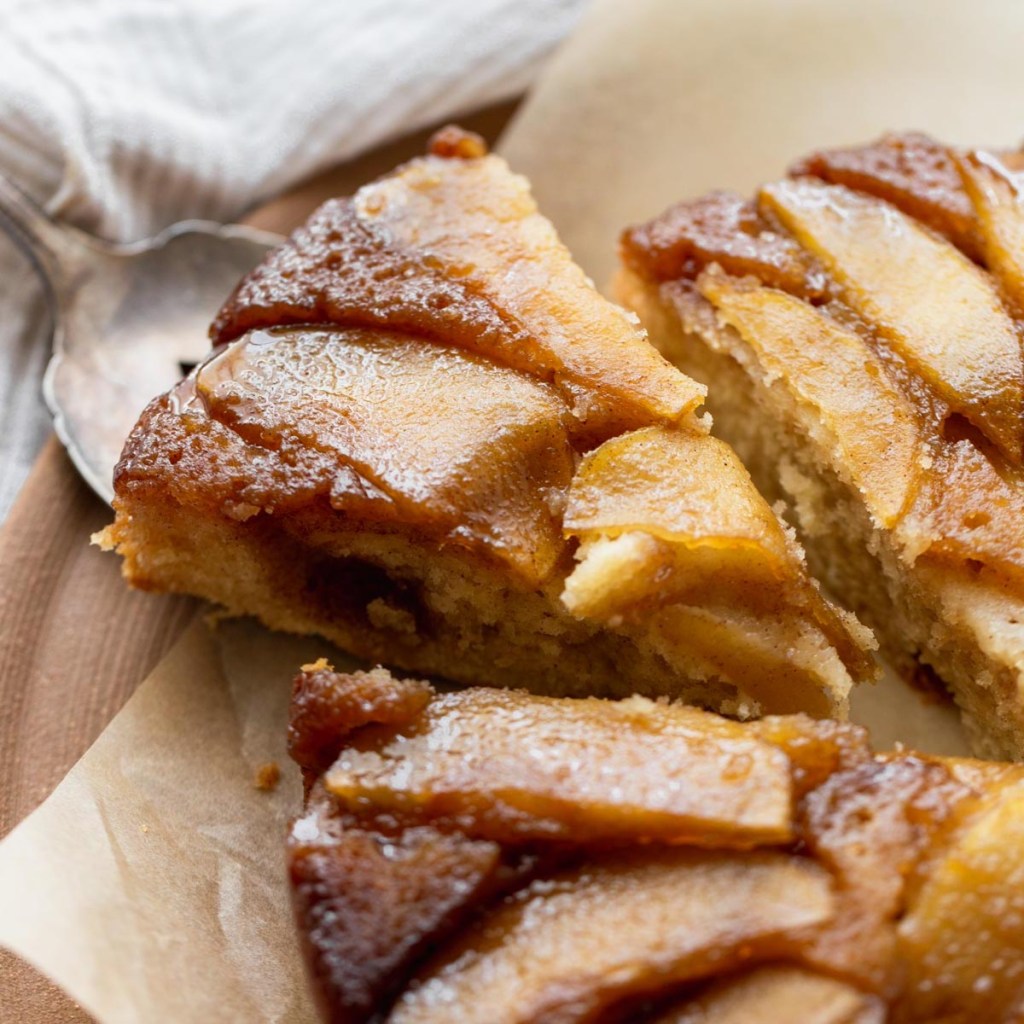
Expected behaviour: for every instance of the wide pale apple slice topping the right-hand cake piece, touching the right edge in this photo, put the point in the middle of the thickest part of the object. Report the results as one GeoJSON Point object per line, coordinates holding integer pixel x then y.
{"type": "Point", "coordinates": [929, 302]}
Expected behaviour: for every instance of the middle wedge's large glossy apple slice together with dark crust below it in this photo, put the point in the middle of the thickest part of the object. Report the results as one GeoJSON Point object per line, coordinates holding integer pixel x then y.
{"type": "Point", "coordinates": [369, 429]}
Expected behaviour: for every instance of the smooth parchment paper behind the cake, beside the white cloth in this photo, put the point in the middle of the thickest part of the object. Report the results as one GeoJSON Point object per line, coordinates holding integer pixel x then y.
{"type": "Point", "coordinates": [658, 101]}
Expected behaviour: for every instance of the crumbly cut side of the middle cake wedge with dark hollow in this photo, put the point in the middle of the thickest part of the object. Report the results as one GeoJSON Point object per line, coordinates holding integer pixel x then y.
{"type": "Point", "coordinates": [391, 599]}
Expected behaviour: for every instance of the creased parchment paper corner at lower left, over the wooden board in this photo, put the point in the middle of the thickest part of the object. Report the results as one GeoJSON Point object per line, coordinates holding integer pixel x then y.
{"type": "Point", "coordinates": [151, 885]}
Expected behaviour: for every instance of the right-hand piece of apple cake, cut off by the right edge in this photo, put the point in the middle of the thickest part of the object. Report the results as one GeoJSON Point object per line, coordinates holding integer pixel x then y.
{"type": "Point", "coordinates": [859, 326]}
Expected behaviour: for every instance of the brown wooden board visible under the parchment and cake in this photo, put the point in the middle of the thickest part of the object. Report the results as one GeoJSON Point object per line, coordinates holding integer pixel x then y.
{"type": "Point", "coordinates": [74, 641]}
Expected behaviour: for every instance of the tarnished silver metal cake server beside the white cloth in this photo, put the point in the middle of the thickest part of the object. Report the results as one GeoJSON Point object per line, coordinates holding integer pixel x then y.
{"type": "Point", "coordinates": [127, 321]}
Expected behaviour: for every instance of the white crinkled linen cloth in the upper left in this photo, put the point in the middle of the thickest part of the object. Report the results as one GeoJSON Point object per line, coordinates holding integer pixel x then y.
{"type": "Point", "coordinates": [123, 117]}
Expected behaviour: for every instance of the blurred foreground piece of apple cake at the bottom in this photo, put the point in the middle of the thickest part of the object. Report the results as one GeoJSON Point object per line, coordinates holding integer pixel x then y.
{"type": "Point", "coordinates": [503, 858]}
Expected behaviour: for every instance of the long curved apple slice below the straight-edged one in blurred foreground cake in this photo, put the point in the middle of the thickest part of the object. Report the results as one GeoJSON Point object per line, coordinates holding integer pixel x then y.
{"type": "Point", "coordinates": [567, 949]}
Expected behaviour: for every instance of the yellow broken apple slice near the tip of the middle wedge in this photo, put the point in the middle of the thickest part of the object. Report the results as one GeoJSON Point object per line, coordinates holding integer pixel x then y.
{"type": "Point", "coordinates": [711, 534]}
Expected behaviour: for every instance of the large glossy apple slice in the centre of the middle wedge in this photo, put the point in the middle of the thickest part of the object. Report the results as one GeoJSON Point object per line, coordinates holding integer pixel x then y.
{"type": "Point", "coordinates": [396, 430]}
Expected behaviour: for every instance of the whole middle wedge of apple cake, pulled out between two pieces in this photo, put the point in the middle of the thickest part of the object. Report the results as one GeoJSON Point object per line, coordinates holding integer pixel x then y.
{"type": "Point", "coordinates": [423, 435]}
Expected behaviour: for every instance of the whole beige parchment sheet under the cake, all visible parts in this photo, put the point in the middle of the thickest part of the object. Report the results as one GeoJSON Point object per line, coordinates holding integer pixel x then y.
{"type": "Point", "coordinates": [151, 885]}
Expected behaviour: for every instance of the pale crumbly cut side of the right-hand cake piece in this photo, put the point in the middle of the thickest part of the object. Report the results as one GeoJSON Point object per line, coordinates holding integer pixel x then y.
{"type": "Point", "coordinates": [970, 633]}
